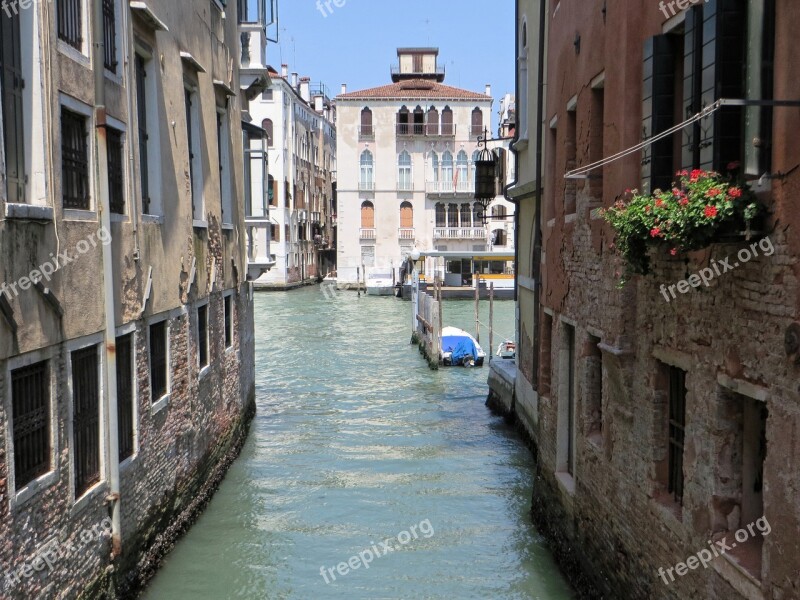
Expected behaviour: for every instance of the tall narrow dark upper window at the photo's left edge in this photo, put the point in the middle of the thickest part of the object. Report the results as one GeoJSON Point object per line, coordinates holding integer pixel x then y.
{"type": "Point", "coordinates": [12, 87]}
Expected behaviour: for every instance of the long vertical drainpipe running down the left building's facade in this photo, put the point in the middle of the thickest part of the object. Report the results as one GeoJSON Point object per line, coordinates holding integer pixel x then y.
{"type": "Point", "coordinates": [110, 363]}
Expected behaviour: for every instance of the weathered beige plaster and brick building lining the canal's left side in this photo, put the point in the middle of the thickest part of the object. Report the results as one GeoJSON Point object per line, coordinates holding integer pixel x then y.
{"type": "Point", "coordinates": [126, 324]}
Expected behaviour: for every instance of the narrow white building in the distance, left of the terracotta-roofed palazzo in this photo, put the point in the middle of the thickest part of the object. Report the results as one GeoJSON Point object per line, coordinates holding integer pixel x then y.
{"type": "Point", "coordinates": [298, 118]}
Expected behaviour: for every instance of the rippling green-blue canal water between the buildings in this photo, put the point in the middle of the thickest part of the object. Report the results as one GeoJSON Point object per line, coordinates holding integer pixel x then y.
{"type": "Point", "coordinates": [357, 448]}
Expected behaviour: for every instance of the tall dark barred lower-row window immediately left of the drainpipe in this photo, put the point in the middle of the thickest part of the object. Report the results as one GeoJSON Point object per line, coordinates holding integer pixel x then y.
{"type": "Point", "coordinates": [86, 418]}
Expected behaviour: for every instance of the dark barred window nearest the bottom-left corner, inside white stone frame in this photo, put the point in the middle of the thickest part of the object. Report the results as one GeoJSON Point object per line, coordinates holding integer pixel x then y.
{"type": "Point", "coordinates": [30, 400]}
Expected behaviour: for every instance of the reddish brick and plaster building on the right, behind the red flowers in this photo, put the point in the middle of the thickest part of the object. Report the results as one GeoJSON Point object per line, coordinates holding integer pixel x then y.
{"type": "Point", "coordinates": [665, 428]}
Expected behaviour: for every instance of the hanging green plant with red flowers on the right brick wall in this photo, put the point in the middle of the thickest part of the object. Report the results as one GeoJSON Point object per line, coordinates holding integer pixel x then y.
{"type": "Point", "coordinates": [688, 217]}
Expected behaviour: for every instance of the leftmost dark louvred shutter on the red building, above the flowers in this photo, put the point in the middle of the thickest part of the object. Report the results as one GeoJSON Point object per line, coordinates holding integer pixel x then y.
{"type": "Point", "coordinates": [658, 100]}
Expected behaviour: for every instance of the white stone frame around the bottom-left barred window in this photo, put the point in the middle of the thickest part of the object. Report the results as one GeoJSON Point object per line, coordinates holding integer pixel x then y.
{"type": "Point", "coordinates": [16, 498]}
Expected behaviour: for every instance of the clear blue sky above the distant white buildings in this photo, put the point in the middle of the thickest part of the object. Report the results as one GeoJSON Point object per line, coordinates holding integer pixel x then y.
{"type": "Point", "coordinates": [357, 43]}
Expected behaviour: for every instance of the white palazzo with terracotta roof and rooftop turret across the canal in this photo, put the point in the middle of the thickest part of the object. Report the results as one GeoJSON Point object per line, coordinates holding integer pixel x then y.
{"type": "Point", "coordinates": [407, 152]}
